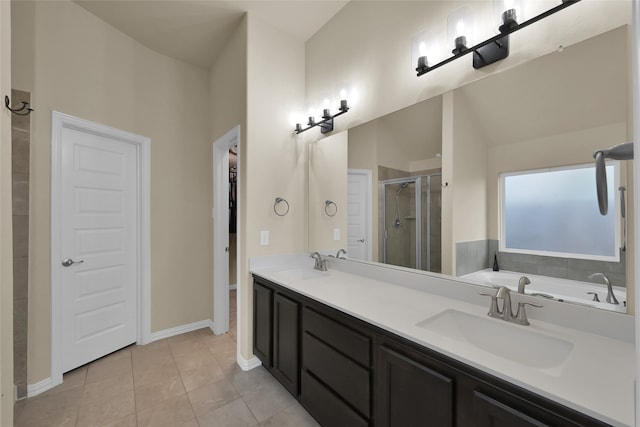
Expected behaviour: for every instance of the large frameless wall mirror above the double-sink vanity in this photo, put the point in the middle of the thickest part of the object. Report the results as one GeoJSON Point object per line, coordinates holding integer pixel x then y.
{"type": "Point", "coordinates": [423, 185]}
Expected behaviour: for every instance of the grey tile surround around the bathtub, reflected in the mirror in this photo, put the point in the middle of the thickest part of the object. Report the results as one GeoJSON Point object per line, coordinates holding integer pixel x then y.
{"type": "Point", "coordinates": [478, 255]}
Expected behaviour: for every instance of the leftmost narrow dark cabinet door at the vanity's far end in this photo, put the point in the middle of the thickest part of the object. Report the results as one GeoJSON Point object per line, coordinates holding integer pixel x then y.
{"type": "Point", "coordinates": [262, 323]}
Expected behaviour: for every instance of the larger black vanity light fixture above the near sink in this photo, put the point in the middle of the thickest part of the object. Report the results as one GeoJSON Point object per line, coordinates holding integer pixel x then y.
{"type": "Point", "coordinates": [495, 48]}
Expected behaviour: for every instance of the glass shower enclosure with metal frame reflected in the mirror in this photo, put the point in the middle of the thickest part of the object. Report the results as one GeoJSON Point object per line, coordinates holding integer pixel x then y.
{"type": "Point", "coordinates": [410, 222]}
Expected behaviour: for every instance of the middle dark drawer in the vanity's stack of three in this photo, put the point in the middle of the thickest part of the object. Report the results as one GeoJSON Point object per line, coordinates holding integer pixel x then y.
{"type": "Point", "coordinates": [348, 379]}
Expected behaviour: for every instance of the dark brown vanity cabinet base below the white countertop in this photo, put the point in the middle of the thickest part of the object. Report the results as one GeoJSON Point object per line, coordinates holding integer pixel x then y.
{"type": "Point", "coordinates": [346, 372]}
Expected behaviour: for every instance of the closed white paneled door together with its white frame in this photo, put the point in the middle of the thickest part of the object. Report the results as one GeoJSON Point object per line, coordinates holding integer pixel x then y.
{"type": "Point", "coordinates": [100, 243]}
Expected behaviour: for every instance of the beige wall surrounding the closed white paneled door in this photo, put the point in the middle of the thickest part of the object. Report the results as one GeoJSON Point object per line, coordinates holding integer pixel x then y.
{"type": "Point", "coordinates": [76, 64]}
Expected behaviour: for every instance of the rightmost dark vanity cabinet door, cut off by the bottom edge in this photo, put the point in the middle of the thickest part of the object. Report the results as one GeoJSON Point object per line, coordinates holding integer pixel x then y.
{"type": "Point", "coordinates": [489, 412]}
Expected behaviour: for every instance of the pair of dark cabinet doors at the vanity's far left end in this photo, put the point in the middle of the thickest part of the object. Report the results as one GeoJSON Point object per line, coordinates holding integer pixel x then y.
{"type": "Point", "coordinates": [276, 336]}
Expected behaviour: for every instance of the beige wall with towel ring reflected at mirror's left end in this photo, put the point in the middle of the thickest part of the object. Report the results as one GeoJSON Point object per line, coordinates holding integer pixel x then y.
{"type": "Point", "coordinates": [327, 181]}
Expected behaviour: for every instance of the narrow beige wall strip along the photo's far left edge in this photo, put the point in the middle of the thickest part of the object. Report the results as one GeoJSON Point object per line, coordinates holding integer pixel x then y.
{"type": "Point", "coordinates": [6, 257]}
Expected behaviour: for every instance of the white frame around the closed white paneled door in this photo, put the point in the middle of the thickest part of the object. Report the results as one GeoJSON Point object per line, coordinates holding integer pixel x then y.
{"type": "Point", "coordinates": [60, 121]}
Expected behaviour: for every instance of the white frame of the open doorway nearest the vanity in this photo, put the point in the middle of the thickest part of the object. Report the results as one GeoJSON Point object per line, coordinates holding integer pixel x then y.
{"type": "Point", "coordinates": [220, 213]}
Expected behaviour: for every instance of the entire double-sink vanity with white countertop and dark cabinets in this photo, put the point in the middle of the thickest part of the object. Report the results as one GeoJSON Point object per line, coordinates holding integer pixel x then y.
{"type": "Point", "coordinates": [360, 351]}
